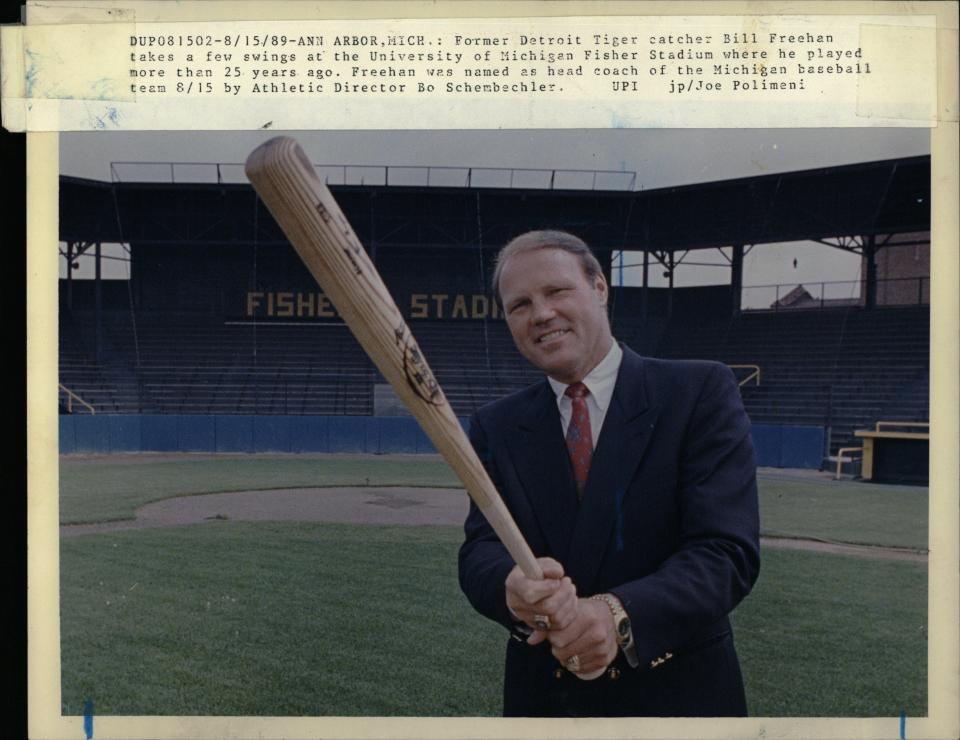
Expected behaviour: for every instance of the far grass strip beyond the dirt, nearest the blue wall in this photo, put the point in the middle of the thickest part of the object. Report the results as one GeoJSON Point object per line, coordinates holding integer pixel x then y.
{"type": "Point", "coordinates": [94, 490]}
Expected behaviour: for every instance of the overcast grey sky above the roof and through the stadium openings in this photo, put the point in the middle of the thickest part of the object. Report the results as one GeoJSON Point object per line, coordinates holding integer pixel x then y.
{"type": "Point", "coordinates": [659, 157]}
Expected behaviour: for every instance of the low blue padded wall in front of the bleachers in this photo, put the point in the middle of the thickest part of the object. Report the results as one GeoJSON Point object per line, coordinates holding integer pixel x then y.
{"type": "Point", "coordinates": [777, 446]}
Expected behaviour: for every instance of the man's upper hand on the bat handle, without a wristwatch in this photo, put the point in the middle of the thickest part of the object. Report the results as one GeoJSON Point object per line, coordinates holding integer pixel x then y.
{"type": "Point", "coordinates": [553, 597]}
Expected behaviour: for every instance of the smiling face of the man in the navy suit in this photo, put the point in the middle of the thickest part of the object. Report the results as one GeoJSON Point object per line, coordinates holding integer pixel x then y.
{"type": "Point", "coordinates": [556, 315]}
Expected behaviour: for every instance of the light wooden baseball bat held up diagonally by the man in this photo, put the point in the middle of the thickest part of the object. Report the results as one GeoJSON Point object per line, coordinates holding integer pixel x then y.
{"type": "Point", "coordinates": [308, 214]}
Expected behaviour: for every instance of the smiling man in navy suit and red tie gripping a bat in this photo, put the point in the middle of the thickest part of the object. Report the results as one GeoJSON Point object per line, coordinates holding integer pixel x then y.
{"type": "Point", "coordinates": [634, 481]}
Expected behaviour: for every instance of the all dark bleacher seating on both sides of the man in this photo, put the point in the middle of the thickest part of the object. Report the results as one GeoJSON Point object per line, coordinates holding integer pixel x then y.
{"type": "Point", "coordinates": [840, 368]}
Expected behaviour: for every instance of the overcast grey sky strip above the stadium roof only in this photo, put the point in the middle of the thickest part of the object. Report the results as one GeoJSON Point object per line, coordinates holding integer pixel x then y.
{"type": "Point", "coordinates": [660, 157]}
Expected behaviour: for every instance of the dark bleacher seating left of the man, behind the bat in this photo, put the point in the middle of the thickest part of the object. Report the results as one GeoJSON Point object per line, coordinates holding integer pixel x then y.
{"type": "Point", "coordinates": [180, 365]}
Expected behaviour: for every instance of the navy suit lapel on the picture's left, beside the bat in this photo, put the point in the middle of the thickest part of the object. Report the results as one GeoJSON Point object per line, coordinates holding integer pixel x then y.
{"type": "Point", "coordinates": [543, 466]}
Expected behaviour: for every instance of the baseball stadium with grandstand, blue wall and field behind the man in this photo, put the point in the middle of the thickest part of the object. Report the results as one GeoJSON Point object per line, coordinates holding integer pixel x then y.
{"type": "Point", "coordinates": [252, 522]}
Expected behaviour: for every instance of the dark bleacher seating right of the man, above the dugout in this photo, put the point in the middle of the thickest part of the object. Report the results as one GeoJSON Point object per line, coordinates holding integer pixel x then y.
{"type": "Point", "coordinates": [841, 368]}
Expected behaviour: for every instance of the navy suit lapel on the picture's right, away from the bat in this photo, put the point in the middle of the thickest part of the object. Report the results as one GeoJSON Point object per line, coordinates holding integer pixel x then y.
{"type": "Point", "coordinates": [626, 432]}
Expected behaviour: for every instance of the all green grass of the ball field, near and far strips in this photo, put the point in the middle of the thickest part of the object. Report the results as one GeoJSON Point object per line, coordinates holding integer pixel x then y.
{"type": "Point", "coordinates": [242, 618]}
